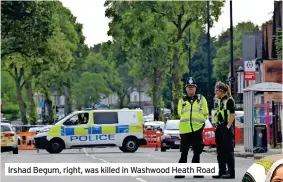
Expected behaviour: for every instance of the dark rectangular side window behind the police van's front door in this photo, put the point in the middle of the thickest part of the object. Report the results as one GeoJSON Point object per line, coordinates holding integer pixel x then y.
{"type": "Point", "coordinates": [105, 118]}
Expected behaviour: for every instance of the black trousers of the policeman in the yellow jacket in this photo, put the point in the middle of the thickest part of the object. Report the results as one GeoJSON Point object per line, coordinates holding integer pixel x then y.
{"type": "Point", "coordinates": [193, 140]}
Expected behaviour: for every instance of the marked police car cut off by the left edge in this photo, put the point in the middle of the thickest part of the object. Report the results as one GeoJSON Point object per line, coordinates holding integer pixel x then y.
{"type": "Point", "coordinates": [9, 138]}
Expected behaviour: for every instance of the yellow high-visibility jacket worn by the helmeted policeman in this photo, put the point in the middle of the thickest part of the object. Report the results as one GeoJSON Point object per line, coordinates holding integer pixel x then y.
{"type": "Point", "coordinates": [192, 118]}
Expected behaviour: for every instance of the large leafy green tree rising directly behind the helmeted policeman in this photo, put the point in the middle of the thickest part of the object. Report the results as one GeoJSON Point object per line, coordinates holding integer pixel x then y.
{"type": "Point", "coordinates": [154, 52]}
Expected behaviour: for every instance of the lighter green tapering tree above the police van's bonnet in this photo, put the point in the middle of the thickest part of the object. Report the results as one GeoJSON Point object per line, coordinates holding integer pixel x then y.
{"type": "Point", "coordinates": [65, 51]}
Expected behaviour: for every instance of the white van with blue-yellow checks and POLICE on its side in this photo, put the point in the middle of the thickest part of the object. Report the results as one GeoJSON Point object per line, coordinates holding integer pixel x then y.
{"type": "Point", "coordinates": [94, 128]}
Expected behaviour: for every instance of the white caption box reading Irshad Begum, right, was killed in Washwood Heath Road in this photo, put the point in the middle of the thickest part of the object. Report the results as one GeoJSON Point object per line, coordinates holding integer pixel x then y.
{"type": "Point", "coordinates": [110, 169]}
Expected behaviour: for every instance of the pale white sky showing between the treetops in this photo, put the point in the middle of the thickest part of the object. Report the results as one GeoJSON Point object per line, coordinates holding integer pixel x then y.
{"type": "Point", "coordinates": [91, 13]}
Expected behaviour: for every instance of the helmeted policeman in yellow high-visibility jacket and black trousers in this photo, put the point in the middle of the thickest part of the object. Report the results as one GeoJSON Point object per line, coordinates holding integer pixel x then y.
{"type": "Point", "coordinates": [193, 111]}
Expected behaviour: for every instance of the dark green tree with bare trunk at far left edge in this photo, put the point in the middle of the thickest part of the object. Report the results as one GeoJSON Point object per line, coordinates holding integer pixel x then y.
{"type": "Point", "coordinates": [26, 27]}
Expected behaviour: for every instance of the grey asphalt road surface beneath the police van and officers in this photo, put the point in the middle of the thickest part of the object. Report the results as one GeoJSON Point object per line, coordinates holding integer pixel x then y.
{"type": "Point", "coordinates": [111, 155]}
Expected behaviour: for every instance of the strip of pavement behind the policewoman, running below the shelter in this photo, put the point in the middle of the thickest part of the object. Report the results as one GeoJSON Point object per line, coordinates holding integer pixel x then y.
{"type": "Point", "coordinates": [240, 152]}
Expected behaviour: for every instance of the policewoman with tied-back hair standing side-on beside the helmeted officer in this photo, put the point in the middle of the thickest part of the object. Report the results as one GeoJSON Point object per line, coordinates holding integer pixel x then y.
{"type": "Point", "coordinates": [224, 133]}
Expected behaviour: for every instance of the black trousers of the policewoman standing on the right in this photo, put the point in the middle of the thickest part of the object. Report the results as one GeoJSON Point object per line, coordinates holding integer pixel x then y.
{"type": "Point", "coordinates": [224, 139]}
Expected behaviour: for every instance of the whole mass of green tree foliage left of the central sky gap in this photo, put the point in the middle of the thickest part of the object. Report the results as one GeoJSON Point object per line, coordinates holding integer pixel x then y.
{"type": "Point", "coordinates": [43, 44]}
